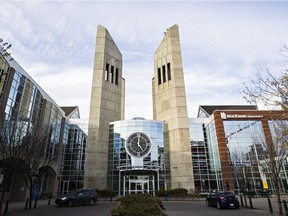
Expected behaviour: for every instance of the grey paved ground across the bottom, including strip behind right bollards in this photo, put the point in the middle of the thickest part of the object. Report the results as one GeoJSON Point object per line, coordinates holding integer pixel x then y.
{"type": "Point", "coordinates": [173, 208]}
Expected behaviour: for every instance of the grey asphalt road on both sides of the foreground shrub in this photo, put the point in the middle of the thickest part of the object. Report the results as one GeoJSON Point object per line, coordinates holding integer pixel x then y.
{"type": "Point", "coordinates": [103, 208]}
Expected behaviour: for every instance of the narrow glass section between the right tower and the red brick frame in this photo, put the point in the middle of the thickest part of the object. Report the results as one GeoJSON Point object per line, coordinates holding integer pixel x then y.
{"type": "Point", "coordinates": [205, 155]}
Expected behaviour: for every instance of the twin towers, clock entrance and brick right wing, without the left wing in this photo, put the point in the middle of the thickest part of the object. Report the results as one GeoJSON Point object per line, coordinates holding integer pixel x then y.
{"type": "Point", "coordinates": [197, 154]}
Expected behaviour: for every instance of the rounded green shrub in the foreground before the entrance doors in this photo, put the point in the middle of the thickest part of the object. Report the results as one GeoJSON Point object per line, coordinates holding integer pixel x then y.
{"type": "Point", "coordinates": [140, 205]}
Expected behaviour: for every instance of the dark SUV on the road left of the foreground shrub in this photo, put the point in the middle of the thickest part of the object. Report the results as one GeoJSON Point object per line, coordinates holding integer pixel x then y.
{"type": "Point", "coordinates": [80, 196]}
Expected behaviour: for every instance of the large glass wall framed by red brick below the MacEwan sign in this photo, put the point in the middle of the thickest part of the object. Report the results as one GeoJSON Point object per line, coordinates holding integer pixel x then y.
{"type": "Point", "coordinates": [245, 140]}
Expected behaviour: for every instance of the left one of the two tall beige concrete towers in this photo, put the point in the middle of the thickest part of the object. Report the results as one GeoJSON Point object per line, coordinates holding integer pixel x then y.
{"type": "Point", "coordinates": [107, 105]}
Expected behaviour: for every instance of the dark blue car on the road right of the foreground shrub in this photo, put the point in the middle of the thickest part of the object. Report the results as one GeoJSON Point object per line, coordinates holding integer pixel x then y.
{"type": "Point", "coordinates": [222, 200]}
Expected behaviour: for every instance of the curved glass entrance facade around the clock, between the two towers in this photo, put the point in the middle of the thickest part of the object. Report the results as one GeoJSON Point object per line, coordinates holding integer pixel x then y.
{"type": "Point", "coordinates": [127, 174]}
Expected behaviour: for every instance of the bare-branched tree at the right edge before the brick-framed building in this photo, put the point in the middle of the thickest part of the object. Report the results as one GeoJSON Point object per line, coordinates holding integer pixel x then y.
{"type": "Point", "coordinates": [272, 91]}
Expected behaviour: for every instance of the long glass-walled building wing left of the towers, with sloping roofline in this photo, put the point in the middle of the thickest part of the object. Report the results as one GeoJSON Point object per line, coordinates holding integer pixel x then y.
{"type": "Point", "coordinates": [27, 111]}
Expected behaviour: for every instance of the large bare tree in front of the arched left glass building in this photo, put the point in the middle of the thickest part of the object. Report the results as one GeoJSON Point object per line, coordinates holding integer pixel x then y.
{"type": "Point", "coordinates": [27, 150]}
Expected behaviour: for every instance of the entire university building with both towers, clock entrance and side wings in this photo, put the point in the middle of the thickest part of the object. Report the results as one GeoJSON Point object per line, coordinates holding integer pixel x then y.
{"type": "Point", "coordinates": [131, 156]}
